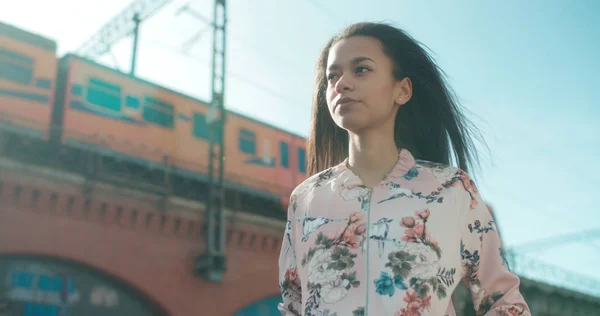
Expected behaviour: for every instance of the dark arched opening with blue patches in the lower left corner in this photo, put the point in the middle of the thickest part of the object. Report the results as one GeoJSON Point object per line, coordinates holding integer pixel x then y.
{"type": "Point", "coordinates": [45, 287]}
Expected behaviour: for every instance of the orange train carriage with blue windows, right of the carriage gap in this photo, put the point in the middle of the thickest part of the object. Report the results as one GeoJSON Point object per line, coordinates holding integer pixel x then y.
{"type": "Point", "coordinates": [105, 105]}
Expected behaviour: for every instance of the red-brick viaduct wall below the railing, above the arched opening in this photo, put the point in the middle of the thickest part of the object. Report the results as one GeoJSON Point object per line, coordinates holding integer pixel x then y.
{"type": "Point", "coordinates": [132, 241]}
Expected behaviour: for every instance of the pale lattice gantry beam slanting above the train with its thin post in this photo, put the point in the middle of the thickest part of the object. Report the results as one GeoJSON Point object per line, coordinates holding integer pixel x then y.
{"type": "Point", "coordinates": [123, 24]}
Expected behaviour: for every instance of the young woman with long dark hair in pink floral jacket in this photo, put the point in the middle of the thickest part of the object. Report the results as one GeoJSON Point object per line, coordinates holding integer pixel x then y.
{"type": "Point", "coordinates": [385, 225]}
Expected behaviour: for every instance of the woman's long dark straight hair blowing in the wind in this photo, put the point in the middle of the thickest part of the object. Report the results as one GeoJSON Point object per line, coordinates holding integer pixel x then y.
{"type": "Point", "coordinates": [426, 125]}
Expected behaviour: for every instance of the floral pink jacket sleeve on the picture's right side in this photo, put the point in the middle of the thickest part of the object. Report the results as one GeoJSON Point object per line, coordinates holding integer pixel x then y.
{"type": "Point", "coordinates": [494, 288]}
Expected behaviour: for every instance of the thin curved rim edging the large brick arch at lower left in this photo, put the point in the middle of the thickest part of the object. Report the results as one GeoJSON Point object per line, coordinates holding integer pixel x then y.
{"type": "Point", "coordinates": [114, 281]}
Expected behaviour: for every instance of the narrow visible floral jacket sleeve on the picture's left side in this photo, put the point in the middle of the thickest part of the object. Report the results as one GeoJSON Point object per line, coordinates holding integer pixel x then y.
{"type": "Point", "coordinates": [289, 280]}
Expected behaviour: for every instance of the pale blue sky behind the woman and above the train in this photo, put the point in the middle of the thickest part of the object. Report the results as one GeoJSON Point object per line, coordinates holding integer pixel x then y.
{"type": "Point", "coordinates": [526, 71]}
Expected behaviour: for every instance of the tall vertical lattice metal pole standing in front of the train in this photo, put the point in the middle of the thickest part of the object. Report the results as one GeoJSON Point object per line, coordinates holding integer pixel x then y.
{"type": "Point", "coordinates": [212, 263]}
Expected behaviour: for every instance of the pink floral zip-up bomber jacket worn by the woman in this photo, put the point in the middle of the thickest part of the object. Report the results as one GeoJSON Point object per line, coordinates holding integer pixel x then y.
{"type": "Point", "coordinates": [427, 229]}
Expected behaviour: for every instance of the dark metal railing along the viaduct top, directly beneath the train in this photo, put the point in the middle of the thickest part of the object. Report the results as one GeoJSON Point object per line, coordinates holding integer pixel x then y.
{"type": "Point", "coordinates": [106, 158]}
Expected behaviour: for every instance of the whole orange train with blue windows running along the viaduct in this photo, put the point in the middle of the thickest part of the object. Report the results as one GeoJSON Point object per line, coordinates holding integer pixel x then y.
{"type": "Point", "coordinates": [77, 102]}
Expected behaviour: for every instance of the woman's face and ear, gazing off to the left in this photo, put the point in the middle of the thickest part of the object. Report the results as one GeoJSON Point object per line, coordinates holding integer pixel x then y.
{"type": "Point", "coordinates": [362, 92]}
